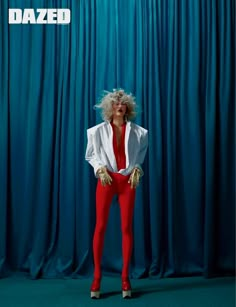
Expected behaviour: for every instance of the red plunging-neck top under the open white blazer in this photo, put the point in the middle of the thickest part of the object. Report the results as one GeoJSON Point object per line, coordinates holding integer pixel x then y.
{"type": "Point", "coordinates": [119, 151]}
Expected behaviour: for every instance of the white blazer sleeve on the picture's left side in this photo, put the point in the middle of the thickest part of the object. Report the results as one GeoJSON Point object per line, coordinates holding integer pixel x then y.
{"type": "Point", "coordinates": [90, 154]}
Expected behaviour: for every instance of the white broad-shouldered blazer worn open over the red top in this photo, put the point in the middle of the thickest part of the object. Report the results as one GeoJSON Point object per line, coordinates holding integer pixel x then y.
{"type": "Point", "coordinates": [100, 151]}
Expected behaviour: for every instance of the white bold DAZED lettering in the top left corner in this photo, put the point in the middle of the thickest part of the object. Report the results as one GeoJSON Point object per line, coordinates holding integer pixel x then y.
{"type": "Point", "coordinates": [39, 16]}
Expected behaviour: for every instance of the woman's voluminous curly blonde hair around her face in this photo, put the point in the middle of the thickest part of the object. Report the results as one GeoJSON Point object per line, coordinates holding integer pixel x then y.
{"type": "Point", "coordinates": [109, 98]}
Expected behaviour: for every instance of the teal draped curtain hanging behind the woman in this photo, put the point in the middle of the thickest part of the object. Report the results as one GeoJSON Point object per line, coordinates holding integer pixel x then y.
{"type": "Point", "coordinates": [178, 58]}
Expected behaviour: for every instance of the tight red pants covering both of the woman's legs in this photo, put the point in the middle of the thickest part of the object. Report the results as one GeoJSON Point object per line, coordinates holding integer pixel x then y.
{"type": "Point", "coordinates": [126, 197]}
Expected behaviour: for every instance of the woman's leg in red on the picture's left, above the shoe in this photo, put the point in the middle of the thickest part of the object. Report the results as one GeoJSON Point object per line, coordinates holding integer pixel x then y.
{"type": "Point", "coordinates": [103, 201]}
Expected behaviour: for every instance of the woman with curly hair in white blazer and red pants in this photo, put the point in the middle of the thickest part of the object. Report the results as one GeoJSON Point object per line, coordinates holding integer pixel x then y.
{"type": "Point", "coordinates": [116, 149]}
